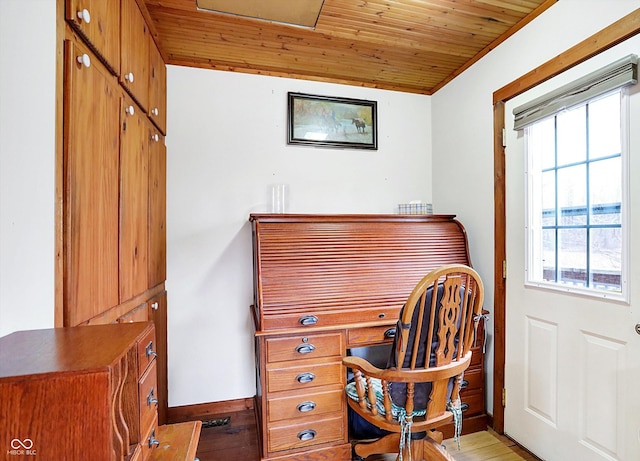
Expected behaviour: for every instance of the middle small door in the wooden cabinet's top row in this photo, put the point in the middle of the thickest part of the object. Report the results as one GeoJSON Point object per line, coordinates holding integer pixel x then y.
{"type": "Point", "coordinates": [134, 56]}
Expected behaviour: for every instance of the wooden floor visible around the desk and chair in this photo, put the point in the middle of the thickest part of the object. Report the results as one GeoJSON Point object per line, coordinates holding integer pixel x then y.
{"type": "Point", "coordinates": [238, 440]}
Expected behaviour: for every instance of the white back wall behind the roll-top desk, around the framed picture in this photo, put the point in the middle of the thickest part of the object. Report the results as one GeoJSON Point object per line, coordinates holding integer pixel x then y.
{"type": "Point", "coordinates": [226, 144]}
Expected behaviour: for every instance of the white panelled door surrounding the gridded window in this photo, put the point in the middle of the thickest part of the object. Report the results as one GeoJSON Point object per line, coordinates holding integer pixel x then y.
{"type": "Point", "coordinates": [572, 373]}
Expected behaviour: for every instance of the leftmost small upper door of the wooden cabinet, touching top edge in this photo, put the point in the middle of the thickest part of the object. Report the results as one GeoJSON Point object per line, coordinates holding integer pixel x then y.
{"type": "Point", "coordinates": [98, 21]}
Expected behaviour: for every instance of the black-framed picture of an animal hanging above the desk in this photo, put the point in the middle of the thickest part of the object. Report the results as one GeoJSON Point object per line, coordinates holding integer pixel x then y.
{"type": "Point", "coordinates": [332, 122]}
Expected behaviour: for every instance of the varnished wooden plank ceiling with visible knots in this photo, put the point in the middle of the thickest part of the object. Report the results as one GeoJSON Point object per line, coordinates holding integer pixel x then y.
{"type": "Point", "coordinates": [414, 46]}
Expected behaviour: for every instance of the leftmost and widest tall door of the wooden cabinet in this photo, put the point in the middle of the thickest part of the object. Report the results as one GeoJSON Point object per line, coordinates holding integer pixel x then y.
{"type": "Point", "coordinates": [91, 130]}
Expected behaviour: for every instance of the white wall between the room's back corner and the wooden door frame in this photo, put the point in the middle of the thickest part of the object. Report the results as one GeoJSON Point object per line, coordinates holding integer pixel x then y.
{"type": "Point", "coordinates": [463, 120]}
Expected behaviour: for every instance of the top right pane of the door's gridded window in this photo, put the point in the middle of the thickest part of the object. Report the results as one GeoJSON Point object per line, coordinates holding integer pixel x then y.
{"type": "Point", "coordinates": [604, 127]}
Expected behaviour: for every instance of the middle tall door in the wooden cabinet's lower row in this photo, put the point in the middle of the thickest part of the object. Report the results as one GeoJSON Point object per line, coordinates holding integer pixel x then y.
{"type": "Point", "coordinates": [134, 202]}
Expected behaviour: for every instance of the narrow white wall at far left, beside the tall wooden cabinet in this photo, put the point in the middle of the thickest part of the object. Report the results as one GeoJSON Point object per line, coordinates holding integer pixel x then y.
{"type": "Point", "coordinates": [27, 163]}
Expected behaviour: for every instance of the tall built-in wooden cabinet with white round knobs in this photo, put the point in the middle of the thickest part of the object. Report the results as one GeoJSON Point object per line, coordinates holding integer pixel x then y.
{"type": "Point", "coordinates": [112, 171]}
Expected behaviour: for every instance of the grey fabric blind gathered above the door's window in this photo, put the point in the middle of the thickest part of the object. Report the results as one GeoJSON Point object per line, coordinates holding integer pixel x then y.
{"type": "Point", "coordinates": [616, 75]}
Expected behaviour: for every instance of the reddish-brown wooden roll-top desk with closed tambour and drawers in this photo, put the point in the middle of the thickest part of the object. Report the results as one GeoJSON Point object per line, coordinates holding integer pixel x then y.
{"type": "Point", "coordinates": [324, 284]}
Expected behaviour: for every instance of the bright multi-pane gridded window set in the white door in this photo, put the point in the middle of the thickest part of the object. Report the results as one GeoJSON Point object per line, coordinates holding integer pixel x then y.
{"type": "Point", "coordinates": [576, 197]}
